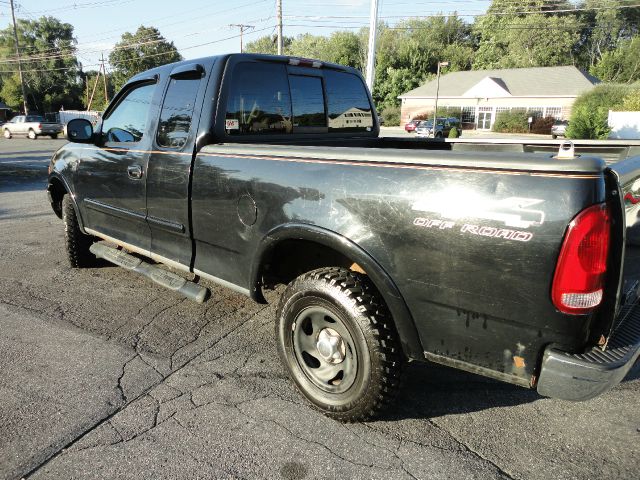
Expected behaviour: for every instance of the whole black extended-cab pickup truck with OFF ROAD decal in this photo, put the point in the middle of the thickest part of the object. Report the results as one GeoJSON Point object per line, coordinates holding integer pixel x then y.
{"type": "Point", "coordinates": [254, 171]}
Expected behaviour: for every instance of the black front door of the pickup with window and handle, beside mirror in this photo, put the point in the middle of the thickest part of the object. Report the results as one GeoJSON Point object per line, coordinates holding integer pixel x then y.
{"type": "Point", "coordinates": [110, 181]}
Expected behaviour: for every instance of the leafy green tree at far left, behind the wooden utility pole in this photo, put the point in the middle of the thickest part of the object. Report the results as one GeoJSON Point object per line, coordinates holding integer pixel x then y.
{"type": "Point", "coordinates": [51, 69]}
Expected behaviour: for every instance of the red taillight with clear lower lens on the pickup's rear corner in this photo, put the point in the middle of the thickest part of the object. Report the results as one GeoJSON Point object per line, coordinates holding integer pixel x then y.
{"type": "Point", "coordinates": [582, 264]}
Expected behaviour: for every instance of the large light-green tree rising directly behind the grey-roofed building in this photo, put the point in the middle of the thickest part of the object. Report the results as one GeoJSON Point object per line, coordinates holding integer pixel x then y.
{"type": "Point", "coordinates": [525, 34]}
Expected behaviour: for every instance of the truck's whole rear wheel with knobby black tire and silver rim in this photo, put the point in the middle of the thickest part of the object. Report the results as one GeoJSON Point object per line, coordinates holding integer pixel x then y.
{"type": "Point", "coordinates": [362, 375]}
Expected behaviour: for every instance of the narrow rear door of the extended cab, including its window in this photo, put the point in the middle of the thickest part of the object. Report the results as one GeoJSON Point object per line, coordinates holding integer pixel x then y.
{"type": "Point", "coordinates": [169, 170]}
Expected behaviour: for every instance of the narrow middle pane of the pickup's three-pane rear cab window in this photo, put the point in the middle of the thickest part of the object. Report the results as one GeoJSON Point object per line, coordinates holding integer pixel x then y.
{"type": "Point", "coordinates": [308, 101]}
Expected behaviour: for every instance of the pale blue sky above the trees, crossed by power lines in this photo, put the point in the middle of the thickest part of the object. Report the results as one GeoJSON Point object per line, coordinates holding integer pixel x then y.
{"type": "Point", "coordinates": [201, 28]}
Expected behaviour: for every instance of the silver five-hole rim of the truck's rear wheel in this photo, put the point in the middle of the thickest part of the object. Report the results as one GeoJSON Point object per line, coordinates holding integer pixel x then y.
{"type": "Point", "coordinates": [324, 349]}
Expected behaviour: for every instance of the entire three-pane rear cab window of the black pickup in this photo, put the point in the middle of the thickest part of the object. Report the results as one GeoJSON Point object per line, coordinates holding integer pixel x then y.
{"type": "Point", "coordinates": [267, 98]}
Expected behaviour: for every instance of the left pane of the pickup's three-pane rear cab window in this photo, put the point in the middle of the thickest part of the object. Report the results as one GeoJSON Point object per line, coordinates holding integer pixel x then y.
{"type": "Point", "coordinates": [259, 101]}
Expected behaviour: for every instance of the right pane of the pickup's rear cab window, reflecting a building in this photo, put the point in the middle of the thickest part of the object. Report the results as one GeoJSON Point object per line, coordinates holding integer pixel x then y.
{"type": "Point", "coordinates": [349, 107]}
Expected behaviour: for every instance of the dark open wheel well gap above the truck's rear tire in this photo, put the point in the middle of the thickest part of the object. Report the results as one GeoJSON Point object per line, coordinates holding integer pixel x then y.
{"type": "Point", "coordinates": [291, 258]}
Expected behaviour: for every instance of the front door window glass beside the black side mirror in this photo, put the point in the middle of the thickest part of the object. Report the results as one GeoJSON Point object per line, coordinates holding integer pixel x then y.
{"type": "Point", "coordinates": [128, 121]}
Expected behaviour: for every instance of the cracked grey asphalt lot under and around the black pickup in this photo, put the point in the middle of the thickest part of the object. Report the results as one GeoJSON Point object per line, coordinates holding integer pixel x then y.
{"type": "Point", "coordinates": [106, 375]}
